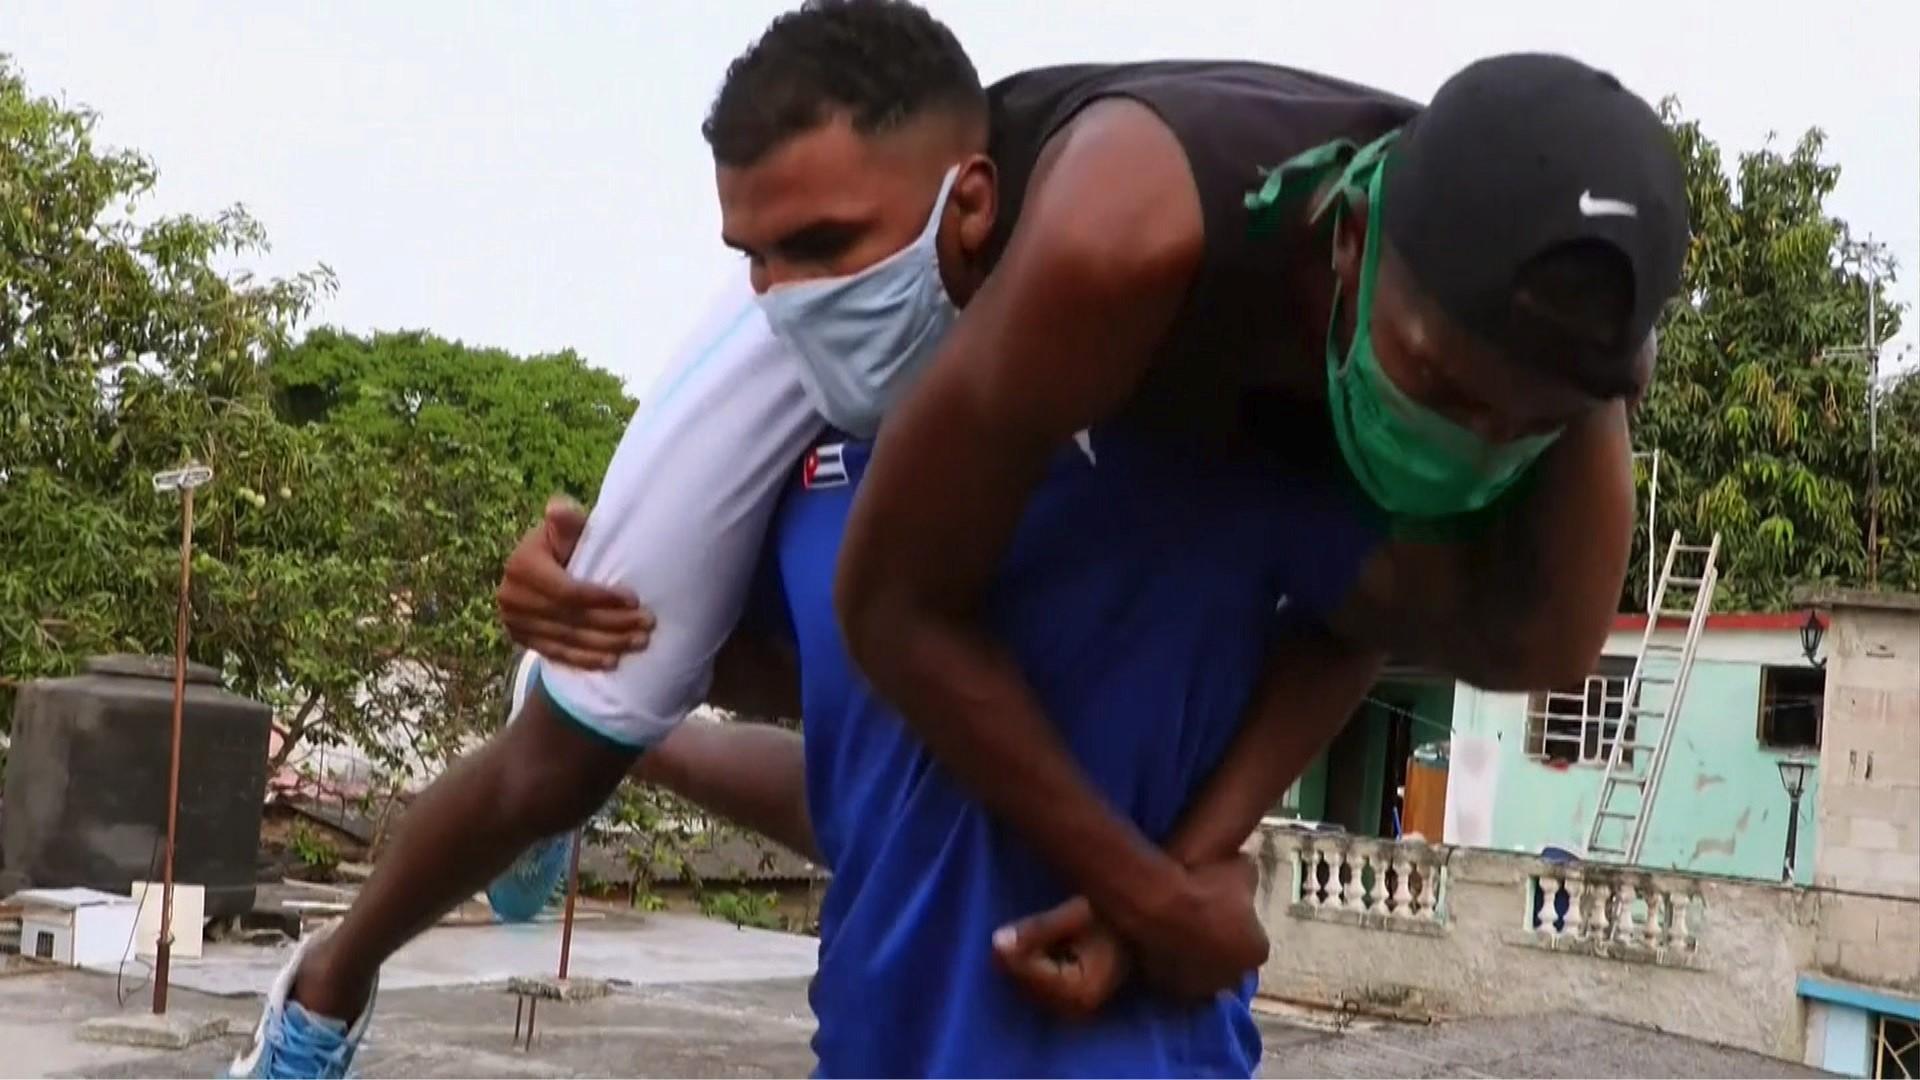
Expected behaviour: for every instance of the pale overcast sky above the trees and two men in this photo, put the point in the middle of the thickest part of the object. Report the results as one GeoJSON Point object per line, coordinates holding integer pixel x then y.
{"type": "Point", "coordinates": [531, 176]}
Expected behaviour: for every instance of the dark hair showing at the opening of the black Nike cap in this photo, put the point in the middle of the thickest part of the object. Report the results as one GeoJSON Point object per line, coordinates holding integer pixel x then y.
{"type": "Point", "coordinates": [1572, 312]}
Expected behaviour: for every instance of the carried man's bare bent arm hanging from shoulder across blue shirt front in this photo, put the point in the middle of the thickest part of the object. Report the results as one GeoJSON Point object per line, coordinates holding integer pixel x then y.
{"type": "Point", "coordinates": [1057, 341]}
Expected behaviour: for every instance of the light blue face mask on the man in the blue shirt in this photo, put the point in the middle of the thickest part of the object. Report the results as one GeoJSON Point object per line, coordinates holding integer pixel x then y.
{"type": "Point", "coordinates": [863, 339]}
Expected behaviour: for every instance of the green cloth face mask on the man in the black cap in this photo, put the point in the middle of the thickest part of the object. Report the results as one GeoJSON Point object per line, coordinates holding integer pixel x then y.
{"type": "Point", "coordinates": [1410, 460]}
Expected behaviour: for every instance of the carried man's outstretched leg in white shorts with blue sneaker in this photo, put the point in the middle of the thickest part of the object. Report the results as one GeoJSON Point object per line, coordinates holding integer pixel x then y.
{"type": "Point", "coordinates": [681, 522]}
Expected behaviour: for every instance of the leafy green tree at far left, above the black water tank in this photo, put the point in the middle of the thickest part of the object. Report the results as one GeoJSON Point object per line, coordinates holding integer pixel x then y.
{"type": "Point", "coordinates": [126, 353]}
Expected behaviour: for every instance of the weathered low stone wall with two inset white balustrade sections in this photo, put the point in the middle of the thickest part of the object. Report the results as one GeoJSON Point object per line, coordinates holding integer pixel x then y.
{"type": "Point", "coordinates": [1441, 931]}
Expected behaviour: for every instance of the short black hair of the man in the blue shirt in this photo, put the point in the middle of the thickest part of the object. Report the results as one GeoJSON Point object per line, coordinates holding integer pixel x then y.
{"type": "Point", "coordinates": [876, 62]}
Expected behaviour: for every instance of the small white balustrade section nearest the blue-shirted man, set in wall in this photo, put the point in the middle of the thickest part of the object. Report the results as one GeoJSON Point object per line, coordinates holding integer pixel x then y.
{"type": "Point", "coordinates": [1368, 877]}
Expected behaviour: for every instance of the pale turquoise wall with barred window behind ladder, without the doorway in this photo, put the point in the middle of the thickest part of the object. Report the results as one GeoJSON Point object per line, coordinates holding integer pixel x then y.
{"type": "Point", "coordinates": [1721, 808]}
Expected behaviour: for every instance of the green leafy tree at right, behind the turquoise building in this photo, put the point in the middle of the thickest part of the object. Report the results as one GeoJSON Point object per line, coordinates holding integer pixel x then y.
{"type": "Point", "coordinates": [1760, 401]}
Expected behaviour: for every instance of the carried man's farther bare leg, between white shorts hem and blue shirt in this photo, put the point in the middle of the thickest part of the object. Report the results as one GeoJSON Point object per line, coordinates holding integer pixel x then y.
{"type": "Point", "coordinates": [754, 775]}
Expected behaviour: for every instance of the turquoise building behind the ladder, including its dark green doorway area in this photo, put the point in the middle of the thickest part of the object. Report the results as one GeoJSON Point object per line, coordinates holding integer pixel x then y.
{"type": "Point", "coordinates": [1524, 770]}
